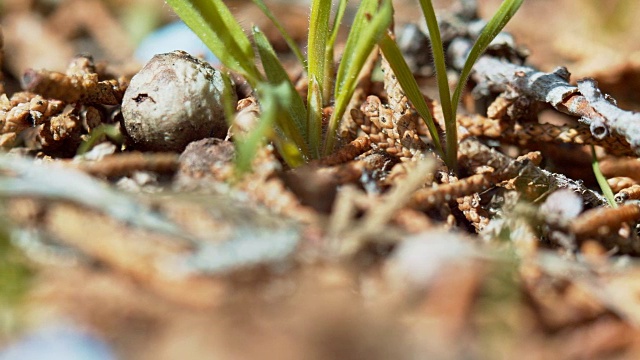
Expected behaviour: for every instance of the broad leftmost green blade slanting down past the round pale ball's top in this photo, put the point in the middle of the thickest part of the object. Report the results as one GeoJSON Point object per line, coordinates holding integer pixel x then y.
{"type": "Point", "coordinates": [212, 21]}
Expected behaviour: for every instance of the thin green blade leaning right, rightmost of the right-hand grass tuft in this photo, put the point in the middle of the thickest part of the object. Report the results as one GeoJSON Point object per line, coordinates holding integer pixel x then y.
{"type": "Point", "coordinates": [502, 16]}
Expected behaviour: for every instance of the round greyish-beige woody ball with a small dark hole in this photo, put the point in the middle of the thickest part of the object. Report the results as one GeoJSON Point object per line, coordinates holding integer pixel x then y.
{"type": "Point", "coordinates": [173, 100]}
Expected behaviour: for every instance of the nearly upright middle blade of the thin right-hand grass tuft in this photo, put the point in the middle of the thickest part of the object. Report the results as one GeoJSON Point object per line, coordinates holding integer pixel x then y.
{"type": "Point", "coordinates": [439, 60]}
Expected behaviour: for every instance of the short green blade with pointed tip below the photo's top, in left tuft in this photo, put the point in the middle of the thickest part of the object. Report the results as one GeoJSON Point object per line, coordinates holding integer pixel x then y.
{"type": "Point", "coordinates": [276, 74]}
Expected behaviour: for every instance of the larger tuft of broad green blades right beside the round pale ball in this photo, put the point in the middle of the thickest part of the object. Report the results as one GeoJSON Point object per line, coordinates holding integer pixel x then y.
{"type": "Point", "coordinates": [296, 128]}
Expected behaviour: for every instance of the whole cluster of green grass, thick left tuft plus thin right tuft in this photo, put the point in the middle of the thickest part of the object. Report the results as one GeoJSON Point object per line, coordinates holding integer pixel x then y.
{"type": "Point", "coordinates": [294, 125]}
